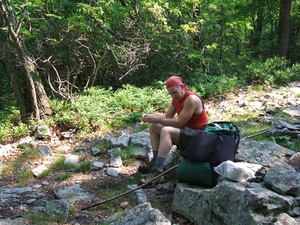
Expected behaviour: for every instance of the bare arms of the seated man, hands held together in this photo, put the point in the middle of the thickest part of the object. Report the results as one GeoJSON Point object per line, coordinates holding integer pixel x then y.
{"type": "Point", "coordinates": [190, 105]}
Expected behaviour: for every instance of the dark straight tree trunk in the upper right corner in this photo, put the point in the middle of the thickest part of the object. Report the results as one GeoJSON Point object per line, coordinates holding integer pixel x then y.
{"type": "Point", "coordinates": [284, 27]}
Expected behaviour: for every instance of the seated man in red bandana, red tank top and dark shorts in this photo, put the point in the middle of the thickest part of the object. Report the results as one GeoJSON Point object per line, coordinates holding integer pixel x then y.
{"type": "Point", "coordinates": [165, 130]}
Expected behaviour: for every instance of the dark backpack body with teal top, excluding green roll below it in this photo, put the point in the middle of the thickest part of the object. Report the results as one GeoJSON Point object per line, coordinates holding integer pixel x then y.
{"type": "Point", "coordinates": [215, 143]}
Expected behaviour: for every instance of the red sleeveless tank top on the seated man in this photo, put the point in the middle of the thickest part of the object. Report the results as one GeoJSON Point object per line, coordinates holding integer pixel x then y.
{"type": "Point", "coordinates": [197, 121]}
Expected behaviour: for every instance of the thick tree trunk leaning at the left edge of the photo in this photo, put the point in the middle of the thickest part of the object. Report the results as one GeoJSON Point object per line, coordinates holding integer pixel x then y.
{"type": "Point", "coordinates": [29, 90]}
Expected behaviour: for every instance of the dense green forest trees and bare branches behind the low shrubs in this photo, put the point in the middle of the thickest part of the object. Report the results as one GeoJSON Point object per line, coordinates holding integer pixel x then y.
{"type": "Point", "coordinates": [78, 44]}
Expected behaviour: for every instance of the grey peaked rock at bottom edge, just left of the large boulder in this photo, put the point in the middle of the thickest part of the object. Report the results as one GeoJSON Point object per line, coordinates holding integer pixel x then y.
{"type": "Point", "coordinates": [142, 214]}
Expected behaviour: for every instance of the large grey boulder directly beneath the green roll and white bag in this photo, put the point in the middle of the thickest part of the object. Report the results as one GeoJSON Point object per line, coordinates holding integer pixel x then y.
{"type": "Point", "coordinates": [229, 203]}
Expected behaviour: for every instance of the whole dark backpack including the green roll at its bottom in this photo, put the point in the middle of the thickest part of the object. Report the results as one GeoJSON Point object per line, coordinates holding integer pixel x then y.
{"type": "Point", "coordinates": [215, 143]}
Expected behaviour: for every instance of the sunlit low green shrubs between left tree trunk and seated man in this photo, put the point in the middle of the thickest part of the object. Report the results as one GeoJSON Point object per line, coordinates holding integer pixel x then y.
{"type": "Point", "coordinates": [98, 108]}
